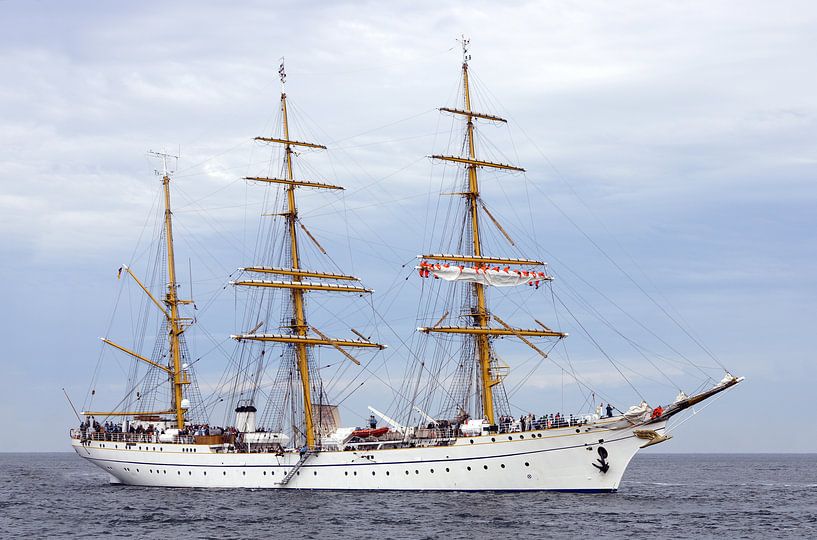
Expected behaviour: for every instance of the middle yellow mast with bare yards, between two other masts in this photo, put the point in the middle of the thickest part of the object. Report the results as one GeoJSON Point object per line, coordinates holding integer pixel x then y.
{"type": "Point", "coordinates": [299, 336]}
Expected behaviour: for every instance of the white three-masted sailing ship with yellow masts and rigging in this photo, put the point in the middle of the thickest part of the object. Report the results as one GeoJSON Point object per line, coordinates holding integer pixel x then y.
{"type": "Point", "coordinates": [451, 425]}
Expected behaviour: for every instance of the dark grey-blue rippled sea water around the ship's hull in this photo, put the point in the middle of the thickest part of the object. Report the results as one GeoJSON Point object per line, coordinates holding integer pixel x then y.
{"type": "Point", "coordinates": [662, 496]}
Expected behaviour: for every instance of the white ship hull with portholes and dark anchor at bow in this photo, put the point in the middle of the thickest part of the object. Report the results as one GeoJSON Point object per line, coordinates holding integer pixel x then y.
{"type": "Point", "coordinates": [553, 459]}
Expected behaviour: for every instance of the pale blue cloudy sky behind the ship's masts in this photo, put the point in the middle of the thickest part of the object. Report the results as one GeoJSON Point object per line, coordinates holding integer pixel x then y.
{"type": "Point", "coordinates": [669, 147]}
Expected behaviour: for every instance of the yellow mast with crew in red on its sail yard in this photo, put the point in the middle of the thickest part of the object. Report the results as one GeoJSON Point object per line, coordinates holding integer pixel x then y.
{"type": "Point", "coordinates": [480, 329]}
